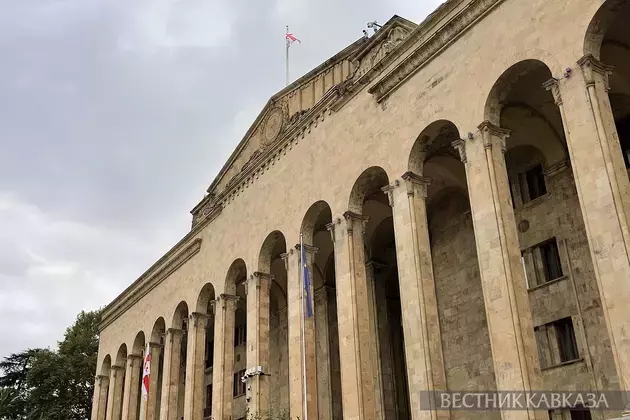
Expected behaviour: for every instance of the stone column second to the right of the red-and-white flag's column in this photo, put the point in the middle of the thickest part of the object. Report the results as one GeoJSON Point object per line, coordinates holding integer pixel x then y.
{"type": "Point", "coordinates": [195, 367]}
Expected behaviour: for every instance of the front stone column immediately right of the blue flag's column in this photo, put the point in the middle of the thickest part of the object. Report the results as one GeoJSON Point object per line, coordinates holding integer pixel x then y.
{"type": "Point", "coordinates": [355, 329]}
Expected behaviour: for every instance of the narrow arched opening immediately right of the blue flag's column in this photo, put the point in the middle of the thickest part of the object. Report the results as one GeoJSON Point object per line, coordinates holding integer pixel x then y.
{"type": "Point", "coordinates": [315, 233]}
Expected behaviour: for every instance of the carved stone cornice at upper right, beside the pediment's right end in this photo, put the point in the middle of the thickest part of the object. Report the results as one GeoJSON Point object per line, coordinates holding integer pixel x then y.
{"type": "Point", "coordinates": [432, 47]}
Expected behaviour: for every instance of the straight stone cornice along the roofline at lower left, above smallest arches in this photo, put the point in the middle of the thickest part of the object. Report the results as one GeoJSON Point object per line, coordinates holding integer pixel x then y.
{"type": "Point", "coordinates": [164, 267]}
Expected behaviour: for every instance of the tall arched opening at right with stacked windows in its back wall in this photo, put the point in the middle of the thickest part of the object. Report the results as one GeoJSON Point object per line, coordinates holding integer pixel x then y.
{"type": "Point", "coordinates": [549, 223]}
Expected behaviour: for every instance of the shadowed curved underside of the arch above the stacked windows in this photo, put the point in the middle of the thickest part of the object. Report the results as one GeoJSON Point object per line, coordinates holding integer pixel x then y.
{"type": "Point", "coordinates": [518, 72]}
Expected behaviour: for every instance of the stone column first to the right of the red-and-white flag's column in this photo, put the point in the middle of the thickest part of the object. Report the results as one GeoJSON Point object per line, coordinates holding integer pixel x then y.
{"type": "Point", "coordinates": [170, 378]}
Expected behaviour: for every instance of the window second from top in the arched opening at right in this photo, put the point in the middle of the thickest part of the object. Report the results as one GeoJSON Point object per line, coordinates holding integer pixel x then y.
{"type": "Point", "coordinates": [542, 263]}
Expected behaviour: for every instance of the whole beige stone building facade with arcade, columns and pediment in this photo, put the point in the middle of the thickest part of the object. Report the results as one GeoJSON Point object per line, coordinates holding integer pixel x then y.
{"type": "Point", "coordinates": [458, 193]}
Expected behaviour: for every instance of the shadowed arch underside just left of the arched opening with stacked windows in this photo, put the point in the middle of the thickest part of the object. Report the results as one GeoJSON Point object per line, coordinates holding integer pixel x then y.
{"type": "Point", "coordinates": [436, 138]}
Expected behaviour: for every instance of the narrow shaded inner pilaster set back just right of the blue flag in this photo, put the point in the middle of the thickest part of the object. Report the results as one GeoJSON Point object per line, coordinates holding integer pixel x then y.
{"type": "Point", "coordinates": [322, 333]}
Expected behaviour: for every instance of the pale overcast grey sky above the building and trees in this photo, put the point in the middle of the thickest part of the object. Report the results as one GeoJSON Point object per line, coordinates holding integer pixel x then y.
{"type": "Point", "coordinates": [115, 117]}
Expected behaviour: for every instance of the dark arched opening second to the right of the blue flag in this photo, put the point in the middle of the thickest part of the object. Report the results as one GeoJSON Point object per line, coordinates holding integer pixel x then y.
{"type": "Point", "coordinates": [369, 200]}
